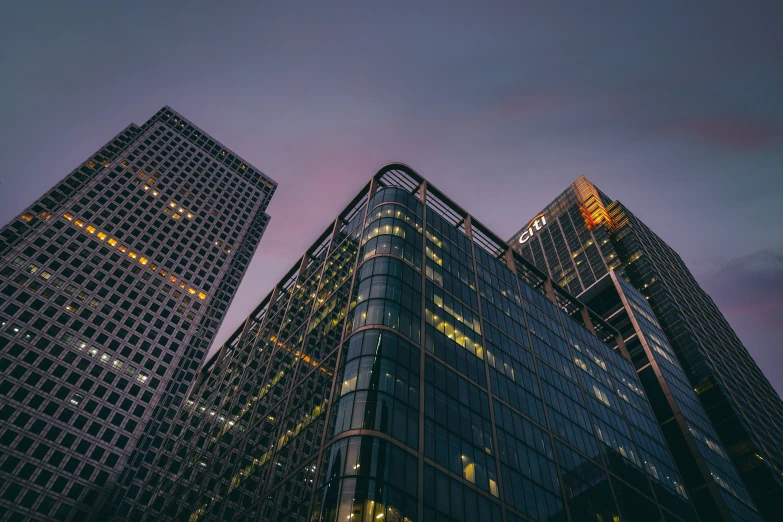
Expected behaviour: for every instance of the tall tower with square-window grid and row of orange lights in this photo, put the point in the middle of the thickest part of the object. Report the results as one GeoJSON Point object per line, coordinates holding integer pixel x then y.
{"type": "Point", "coordinates": [112, 286]}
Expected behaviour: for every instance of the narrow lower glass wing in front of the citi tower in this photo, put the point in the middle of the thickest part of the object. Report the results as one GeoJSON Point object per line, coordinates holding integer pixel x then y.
{"type": "Point", "coordinates": [714, 484]}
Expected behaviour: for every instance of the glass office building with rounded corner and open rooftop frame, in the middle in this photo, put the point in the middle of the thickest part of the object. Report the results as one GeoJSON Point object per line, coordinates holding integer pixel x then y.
{"type": "Point", "coordinates": [412, 367]}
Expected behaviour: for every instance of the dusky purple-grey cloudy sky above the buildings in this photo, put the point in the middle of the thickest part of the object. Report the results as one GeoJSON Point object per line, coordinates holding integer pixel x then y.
{"type": "Point", "coordinates": [674, 108]}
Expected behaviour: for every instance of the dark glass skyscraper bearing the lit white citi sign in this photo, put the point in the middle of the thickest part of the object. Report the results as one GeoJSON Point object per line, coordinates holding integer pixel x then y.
{"type": "Point", "coordinates": [583, 236]}
